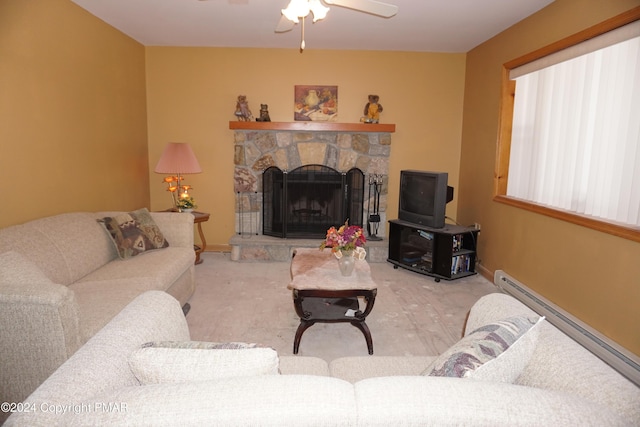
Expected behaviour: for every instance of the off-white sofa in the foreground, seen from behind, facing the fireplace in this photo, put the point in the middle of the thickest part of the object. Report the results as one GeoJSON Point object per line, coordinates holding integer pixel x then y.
{"type": "Point", "coordinates": [561, 385]}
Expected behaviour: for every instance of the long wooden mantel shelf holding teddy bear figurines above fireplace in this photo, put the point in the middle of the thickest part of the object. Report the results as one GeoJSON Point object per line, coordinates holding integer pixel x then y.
{"type": "Point", "coordinates": [314, 126]}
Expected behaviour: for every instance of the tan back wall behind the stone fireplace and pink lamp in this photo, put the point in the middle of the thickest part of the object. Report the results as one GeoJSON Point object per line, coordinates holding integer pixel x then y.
{"type": "Point", "coordinates": [192, 94]}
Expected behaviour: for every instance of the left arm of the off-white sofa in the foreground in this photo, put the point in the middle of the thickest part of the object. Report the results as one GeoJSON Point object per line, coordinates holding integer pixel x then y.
{"type": "Point", "coordinates": [101, 365]}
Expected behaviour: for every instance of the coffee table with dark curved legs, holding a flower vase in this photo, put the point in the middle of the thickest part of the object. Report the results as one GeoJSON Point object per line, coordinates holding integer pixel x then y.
{"type": "Point", "coordinates": [322, 294]}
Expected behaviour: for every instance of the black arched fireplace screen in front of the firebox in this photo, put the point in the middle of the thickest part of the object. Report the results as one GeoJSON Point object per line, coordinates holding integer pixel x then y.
{"type": "Point", "coordinates": [305, 202]}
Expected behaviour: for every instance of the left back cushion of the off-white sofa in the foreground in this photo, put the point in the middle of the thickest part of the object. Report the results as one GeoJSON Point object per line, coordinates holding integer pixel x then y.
{"type": "Point", "coordinates": [266, 400]}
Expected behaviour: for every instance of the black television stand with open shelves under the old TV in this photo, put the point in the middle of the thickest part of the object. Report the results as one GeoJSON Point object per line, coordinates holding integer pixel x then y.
{"type": "Point", "coordinates": [444, 253]}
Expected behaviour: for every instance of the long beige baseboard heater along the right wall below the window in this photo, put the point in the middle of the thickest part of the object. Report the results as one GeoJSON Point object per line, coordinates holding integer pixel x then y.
{"type": "Point", "coordinates": [611, 353]}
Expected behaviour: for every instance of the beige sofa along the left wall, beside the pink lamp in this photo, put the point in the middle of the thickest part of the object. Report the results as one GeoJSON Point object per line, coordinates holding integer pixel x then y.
{"type": "Point", "coordinates": [61, 281]}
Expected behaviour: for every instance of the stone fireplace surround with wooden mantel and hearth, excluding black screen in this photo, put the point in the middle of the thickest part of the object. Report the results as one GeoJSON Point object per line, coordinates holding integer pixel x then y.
{"type": "Point", "coordinates": [258, 146]}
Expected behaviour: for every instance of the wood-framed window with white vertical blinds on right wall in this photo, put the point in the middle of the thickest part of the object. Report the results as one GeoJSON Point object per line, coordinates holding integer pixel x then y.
{"type": "Point", "coordinates": [570, 129]}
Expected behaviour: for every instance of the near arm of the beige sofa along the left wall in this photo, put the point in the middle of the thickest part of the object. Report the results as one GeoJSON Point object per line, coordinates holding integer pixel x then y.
{"type": "Point", "coordinates": [38, 326]}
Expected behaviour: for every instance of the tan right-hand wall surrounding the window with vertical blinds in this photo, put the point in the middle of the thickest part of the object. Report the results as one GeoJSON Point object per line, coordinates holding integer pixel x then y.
{"type": "Point", "coordinates": [593, 275]}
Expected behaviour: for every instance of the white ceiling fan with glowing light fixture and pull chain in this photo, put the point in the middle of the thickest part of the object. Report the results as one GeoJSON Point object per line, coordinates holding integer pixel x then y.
{"type": "Point", "coordinates": [299, 9]}
